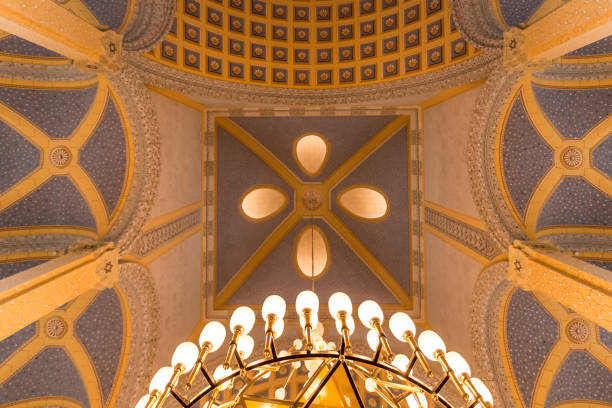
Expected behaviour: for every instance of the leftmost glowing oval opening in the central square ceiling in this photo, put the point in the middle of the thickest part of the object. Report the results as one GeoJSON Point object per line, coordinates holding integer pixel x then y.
{"type": "Point", "coordinates": [262, 202]}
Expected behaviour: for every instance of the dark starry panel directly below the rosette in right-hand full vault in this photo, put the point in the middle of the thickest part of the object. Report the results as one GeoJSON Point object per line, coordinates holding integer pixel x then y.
{"type": "Point", "coordinates": [576, 202]}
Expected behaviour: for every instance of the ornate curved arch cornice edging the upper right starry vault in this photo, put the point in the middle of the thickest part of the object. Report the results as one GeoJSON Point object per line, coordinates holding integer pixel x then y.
{"type": "Point", "coordinates": [481, 153]}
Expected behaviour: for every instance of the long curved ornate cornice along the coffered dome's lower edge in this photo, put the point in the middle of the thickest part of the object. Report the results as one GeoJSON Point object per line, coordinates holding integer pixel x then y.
{"type": "Point", "coordinates": [199, 87]}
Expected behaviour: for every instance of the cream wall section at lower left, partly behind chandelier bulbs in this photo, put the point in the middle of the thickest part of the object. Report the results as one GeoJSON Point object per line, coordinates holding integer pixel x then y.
{"type": "Point", "coordinates": [177, 280]}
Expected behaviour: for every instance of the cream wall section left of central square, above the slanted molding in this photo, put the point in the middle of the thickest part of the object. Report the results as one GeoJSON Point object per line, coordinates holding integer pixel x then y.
{"type": "Point", "coordinates": [181, 155]}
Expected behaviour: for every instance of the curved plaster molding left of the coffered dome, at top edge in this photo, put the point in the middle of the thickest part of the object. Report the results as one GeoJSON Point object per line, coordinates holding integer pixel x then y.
{"type": "Point", "coordinates": [150, 23]}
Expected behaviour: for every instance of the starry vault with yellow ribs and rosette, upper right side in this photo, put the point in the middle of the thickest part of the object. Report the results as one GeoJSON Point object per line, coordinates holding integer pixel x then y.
{"type": "Point", "coordinates": [553, 154]}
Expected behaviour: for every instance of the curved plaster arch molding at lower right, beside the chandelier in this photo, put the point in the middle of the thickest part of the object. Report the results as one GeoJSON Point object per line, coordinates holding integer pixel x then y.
{"type": "Point", "coordinates": [488, 294]}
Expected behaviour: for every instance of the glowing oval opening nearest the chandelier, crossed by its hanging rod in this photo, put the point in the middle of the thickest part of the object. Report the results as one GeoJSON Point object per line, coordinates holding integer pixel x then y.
{"type": "Point", "coordinates": [310, 244]}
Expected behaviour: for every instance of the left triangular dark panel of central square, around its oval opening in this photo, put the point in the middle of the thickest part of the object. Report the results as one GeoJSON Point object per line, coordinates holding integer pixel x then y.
{"type": "Point", "coordinates": [237, 239]}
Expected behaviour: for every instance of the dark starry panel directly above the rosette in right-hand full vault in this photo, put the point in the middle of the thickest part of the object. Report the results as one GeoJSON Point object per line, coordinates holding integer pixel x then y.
{"type": "Point", "coordinates": [574, 111]}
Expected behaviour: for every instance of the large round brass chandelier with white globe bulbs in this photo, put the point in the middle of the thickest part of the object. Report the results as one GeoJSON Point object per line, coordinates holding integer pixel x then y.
{"type": "Point", "coordinates": [333, 373]}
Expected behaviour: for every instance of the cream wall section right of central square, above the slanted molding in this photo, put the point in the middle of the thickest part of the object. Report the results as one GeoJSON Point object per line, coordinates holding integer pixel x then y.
{"type": "Point", "coordinates": [446, 162]}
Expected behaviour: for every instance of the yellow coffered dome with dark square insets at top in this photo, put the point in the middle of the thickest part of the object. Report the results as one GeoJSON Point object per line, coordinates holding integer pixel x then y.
{"type": "Point", "coordinates": [312, 43]}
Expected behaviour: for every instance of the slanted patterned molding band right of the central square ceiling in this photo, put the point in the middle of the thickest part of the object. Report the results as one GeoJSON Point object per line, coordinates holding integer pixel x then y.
{"type": "Point", "coordinates": [476, 239]}
